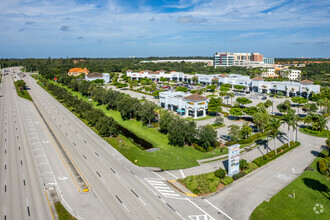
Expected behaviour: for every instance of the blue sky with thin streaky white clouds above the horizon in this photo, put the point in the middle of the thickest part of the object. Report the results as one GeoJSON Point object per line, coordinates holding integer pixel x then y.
{"type": "Point", "coordinates": [143, 28]}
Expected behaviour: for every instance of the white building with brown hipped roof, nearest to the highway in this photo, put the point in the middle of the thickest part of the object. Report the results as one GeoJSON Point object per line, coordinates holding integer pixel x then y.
{"type": "Point", "coordinates": [193, 105]}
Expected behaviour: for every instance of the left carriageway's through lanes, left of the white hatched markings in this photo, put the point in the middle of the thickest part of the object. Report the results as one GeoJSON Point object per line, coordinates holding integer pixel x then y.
{"type": "Point", "coordinates": [22, 191]}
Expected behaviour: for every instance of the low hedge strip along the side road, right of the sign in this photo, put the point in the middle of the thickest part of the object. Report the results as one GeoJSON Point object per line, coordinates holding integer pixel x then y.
{"type": "Point", "coordinates": [260, 161]}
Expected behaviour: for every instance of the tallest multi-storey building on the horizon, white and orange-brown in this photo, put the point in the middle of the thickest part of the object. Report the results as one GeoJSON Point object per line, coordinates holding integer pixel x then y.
{"type": "Point", "coordinates": [241, 59]}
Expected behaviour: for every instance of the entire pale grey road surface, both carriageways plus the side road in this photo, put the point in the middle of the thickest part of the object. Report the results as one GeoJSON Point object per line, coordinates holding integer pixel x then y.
{"type": "Point", "coordinates": [55, 150]}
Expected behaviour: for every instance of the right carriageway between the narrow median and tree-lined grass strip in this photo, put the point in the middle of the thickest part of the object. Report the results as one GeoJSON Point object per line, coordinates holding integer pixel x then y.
{"type": "Point", "coordinates": [127, 191]}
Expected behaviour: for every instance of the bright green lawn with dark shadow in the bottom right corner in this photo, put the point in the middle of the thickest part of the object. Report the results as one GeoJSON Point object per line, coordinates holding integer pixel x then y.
{"type": "Point", "coordinates": [310, 188]}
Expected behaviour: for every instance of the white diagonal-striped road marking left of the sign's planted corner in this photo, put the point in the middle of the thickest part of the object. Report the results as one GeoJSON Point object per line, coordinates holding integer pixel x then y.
{"type": "Point", "coordinates": [162, 187]}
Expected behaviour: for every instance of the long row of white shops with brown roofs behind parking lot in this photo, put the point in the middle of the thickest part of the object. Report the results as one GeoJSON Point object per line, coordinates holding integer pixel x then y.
{"type": "Point", "coordinates": [258, 84]}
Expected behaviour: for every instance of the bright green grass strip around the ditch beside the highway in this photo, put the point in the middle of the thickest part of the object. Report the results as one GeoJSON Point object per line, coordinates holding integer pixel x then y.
{"type": "Point", "coordinates": [168, 157]}
